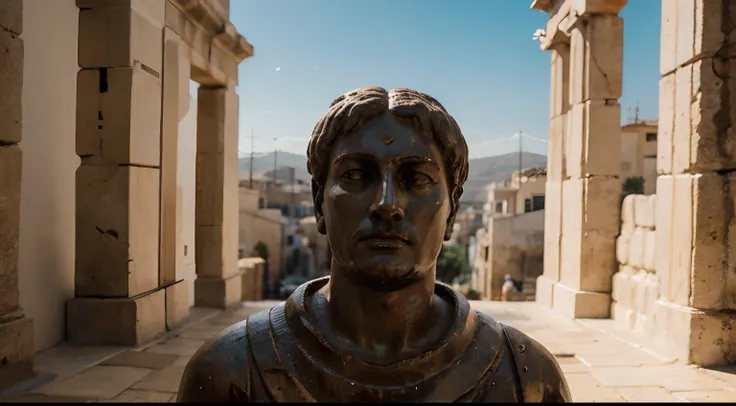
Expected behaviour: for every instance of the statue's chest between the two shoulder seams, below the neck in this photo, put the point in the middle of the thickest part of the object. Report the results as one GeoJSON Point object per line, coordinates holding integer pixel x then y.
{"type": "Point", "coordinates": [292, 366]}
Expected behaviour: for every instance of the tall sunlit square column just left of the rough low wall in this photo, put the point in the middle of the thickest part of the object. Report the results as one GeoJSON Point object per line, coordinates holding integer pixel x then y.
{"type": "Point", "coordinates": [591, 189]}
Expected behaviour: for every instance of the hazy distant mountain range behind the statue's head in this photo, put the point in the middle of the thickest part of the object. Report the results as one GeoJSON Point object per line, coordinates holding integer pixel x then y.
{"type": "Point", "coordinates": [482, 170]}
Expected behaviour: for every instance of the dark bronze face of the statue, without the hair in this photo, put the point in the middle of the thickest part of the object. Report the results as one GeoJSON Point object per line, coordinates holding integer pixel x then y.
{"type": "Point", "coordinates": [386, 202]}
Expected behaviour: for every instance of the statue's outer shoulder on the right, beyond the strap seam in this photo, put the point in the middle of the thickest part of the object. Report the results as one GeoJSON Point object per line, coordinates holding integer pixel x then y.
{"type": "Point", "coordinates": [540, 376]}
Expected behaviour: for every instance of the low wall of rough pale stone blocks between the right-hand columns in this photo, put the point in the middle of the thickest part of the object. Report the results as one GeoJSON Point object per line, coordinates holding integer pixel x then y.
{"type": "Point", "coordinates": [635, 285]}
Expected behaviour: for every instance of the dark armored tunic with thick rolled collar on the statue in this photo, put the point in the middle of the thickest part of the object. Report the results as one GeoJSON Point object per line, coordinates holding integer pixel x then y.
{"type": "Point", "coordinates": [280, 356]}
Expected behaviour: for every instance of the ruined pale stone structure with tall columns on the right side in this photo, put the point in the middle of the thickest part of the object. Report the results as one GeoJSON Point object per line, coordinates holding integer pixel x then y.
{"type": "Point", "coordinates": [691, 315]}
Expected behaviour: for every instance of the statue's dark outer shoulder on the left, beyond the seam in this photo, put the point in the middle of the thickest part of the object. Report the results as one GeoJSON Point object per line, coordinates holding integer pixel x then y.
{"type": "Point", "coordinates": [220, 370]}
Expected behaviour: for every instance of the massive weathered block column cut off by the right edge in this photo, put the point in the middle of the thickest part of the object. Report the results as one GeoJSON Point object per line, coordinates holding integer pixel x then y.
{"type": "Point", "coordinates": [695, 316]}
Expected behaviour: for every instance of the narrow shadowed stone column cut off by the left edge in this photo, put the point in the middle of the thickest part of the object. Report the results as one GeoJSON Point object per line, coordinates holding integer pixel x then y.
{"type": "Point", "coordinates": [16, 330]}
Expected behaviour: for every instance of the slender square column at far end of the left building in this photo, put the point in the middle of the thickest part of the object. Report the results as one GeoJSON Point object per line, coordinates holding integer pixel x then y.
{"type": "Point", "coordinates": [218, 281]}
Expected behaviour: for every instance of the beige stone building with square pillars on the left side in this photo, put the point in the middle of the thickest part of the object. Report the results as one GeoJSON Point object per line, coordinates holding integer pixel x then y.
{"type": "Point", "coordinates": [92, 182]}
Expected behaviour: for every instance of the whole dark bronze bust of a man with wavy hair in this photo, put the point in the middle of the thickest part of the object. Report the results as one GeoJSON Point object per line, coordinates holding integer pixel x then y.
{"type": "Point", "coordinates": [387, 173]}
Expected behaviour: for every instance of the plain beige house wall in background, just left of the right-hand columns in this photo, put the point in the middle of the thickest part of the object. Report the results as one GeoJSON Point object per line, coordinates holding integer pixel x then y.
{"type": "Point", "coordinates": [517, 248]}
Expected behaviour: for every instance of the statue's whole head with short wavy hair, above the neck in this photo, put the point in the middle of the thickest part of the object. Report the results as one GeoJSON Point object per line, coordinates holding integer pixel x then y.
{"type": "Point", "coordinates": [387, 174]}
